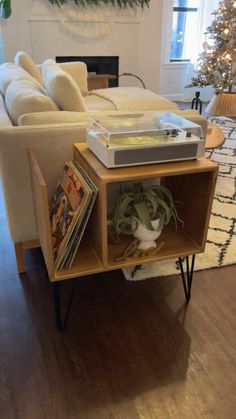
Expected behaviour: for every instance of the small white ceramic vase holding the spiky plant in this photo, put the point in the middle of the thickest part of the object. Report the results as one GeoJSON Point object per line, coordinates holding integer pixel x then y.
{"type": "Point", "coordinates": [147, 237]}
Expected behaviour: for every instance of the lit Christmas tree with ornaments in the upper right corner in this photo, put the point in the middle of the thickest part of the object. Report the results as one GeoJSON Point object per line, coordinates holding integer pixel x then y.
{"type": "Point", "coordinates": [217, 63]}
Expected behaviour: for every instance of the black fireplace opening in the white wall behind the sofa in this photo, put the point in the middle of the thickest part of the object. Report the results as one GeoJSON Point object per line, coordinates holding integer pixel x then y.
{"type": "Point", "coordinates": [97, 64]}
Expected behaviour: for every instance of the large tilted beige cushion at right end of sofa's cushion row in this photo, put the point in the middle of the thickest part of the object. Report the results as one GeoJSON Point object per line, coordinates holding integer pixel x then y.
{"type": "Point", "coordinates": [62, 88]}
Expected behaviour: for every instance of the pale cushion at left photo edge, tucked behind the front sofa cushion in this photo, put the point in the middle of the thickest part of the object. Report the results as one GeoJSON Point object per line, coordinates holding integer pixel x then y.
{"type": "Point", "coordinates": [10, 72]}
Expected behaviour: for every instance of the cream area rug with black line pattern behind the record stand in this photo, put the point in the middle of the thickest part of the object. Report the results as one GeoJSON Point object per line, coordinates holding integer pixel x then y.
{"type": "Point", "coordinates": [221, 239]}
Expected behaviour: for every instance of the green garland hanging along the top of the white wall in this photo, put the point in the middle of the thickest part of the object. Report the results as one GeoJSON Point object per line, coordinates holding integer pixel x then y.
{"type": "Point", "coordinates": [121, 4]}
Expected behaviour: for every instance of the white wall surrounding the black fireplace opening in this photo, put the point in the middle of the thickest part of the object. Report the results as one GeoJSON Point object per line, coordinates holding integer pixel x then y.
{"type": "Point", "coordinates": [34, 27]}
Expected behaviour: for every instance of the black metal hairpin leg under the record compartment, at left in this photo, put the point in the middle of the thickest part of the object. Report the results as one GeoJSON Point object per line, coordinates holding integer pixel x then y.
{"type": "Point", "coordinates": [62, 323]}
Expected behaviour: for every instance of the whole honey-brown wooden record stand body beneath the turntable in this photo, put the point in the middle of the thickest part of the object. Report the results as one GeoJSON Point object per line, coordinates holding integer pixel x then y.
{"type": "Point", "coordinates": [191, 183]}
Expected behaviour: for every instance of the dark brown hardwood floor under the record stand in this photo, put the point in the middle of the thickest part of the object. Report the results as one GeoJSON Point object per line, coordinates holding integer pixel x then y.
{"type": "Point", "coordinates": [131, 350]}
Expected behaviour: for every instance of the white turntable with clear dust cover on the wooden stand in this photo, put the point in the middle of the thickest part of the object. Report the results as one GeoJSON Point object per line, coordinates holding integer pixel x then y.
{"type": "Point", "coordinates": [130, 139]}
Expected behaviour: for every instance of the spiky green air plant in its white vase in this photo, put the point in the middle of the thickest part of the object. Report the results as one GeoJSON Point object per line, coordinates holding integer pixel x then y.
{"type": "Point", "coordinates": [142, 211]}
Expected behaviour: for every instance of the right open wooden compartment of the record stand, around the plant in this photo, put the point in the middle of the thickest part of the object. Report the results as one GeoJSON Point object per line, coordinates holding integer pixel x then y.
{"type": "Point", "coordinates": [192, 185]}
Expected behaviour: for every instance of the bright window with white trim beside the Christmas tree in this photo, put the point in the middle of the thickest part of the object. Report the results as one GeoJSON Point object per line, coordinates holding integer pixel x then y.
{"type": "Point", "coordinates": [184, 29]}
